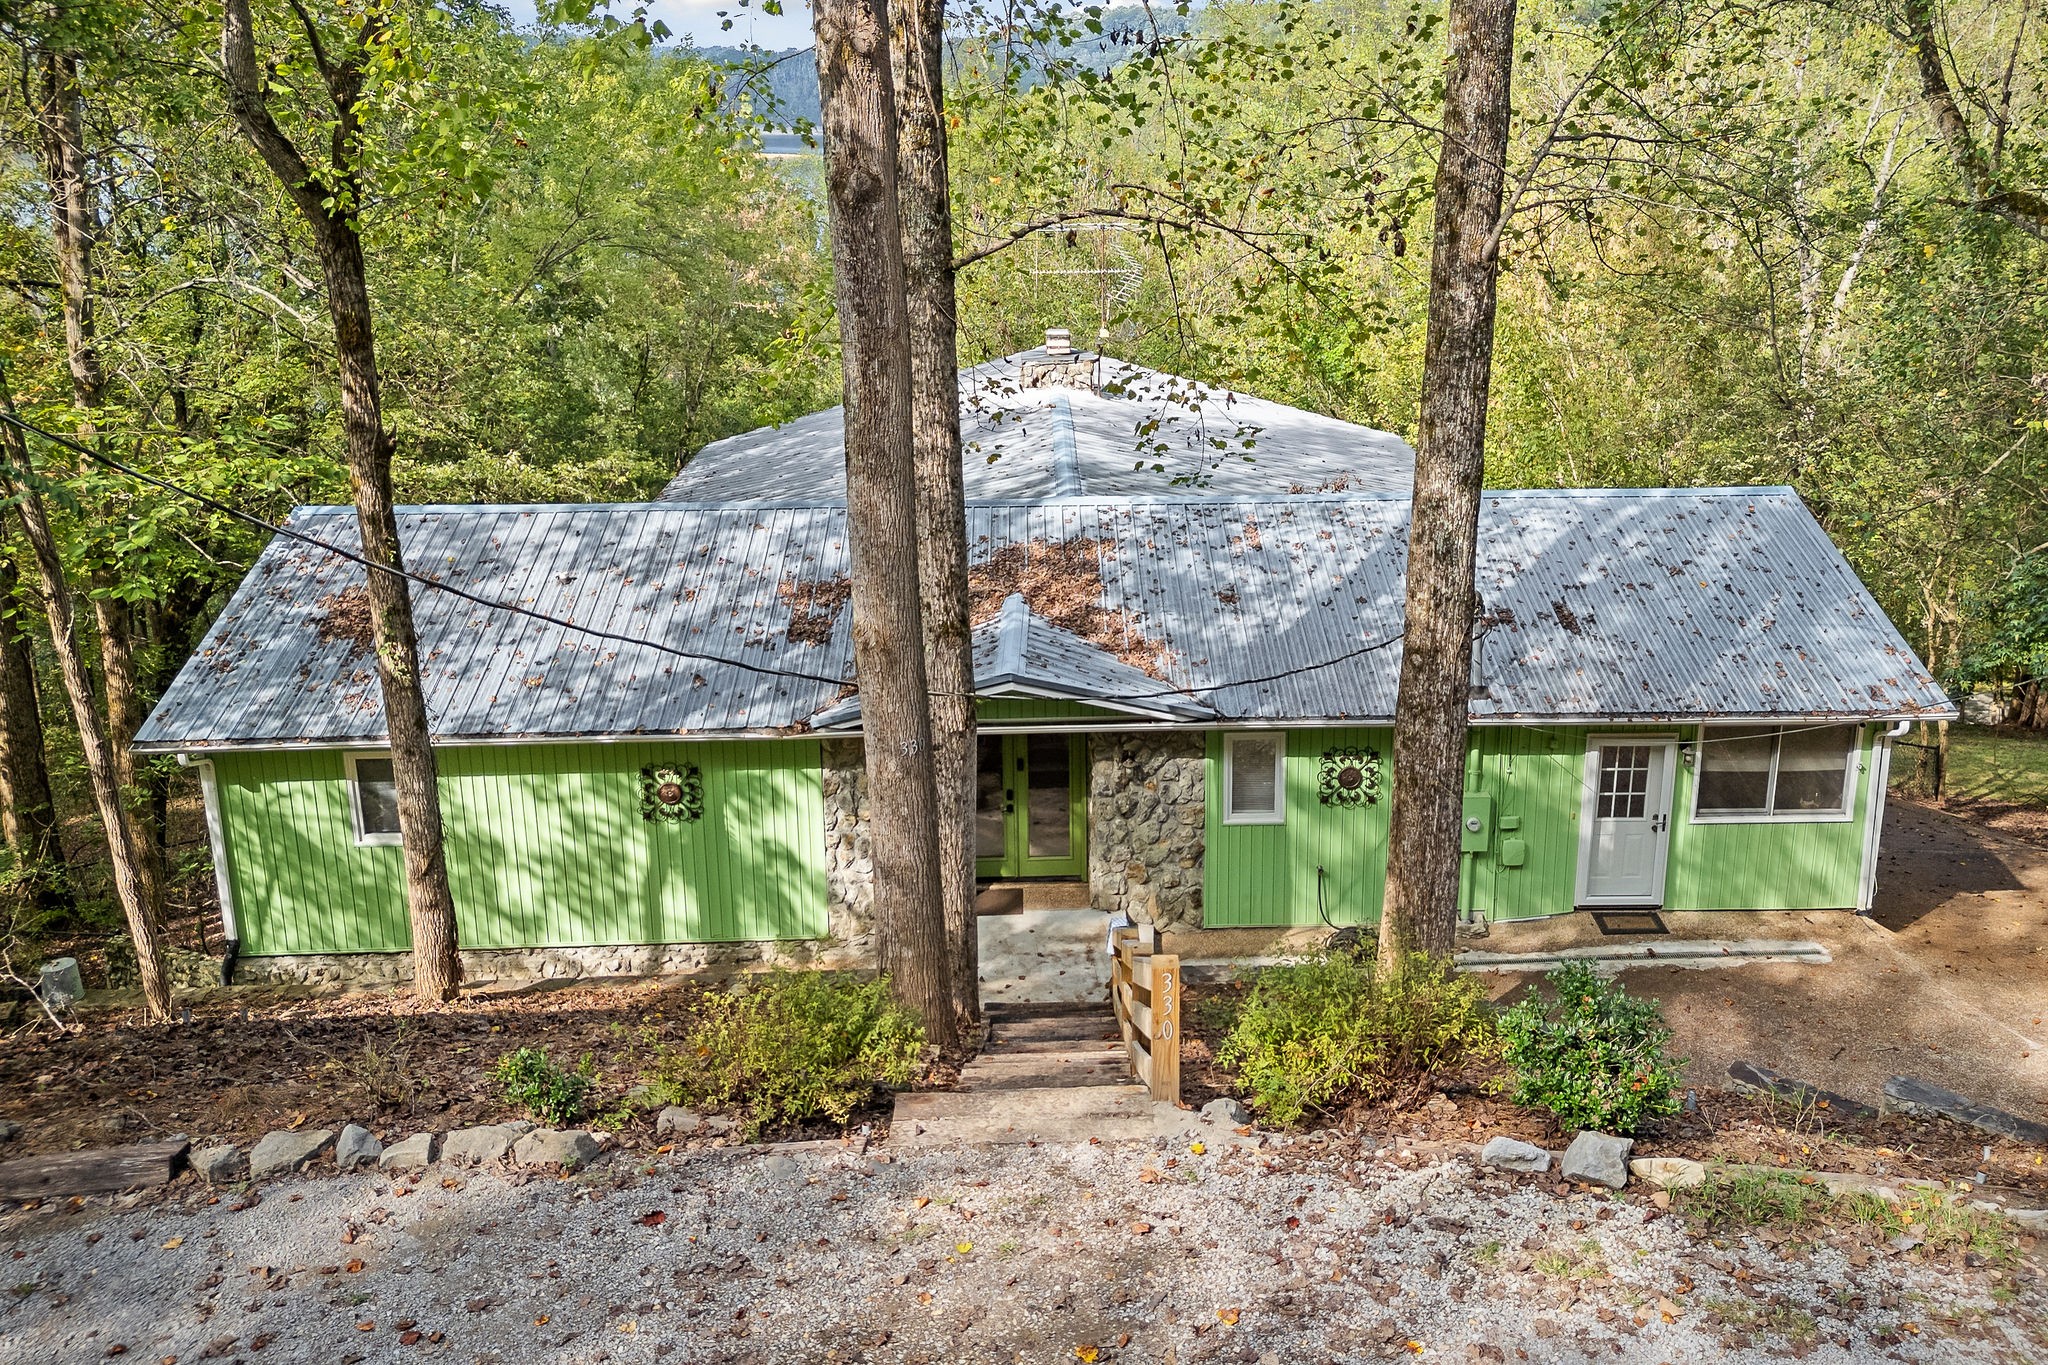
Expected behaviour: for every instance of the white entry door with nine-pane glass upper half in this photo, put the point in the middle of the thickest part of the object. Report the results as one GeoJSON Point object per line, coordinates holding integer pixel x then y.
{"type": "Point", "coordinates": [1625, 826]}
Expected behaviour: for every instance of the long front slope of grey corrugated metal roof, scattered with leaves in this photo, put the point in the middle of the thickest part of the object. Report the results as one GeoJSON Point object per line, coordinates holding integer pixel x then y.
{"type": "Point", "coordinates": [1609, 607]}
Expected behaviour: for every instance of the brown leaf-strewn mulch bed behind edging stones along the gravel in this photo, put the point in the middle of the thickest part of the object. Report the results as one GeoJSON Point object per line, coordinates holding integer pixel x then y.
{"type": "Point", "coordinates": [261, 1061]}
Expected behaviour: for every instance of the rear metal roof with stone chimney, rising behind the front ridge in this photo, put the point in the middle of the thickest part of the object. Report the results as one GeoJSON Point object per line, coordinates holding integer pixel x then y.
{"type": "Point", "coordinates": [1138, 433]}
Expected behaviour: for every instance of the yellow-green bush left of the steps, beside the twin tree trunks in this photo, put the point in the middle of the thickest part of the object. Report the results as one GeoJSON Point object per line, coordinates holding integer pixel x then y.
{"type": "Point", "coordinates": [792, 1047]}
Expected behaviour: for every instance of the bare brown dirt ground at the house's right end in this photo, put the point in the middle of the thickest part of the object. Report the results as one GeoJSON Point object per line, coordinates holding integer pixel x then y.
{"type": "Point", "coordinates": [1945, 981]}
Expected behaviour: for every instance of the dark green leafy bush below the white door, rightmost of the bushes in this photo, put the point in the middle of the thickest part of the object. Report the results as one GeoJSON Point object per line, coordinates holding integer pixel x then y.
{"type": "Point", "coordinates": [1594, 1059]}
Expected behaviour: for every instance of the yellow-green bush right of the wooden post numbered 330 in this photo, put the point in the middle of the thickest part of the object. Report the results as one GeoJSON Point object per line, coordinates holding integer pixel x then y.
{"type": "Point", "coordinates": [1336, 1028]}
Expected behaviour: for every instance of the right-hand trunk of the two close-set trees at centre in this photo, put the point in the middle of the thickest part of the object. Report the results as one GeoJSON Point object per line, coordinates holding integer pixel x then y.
{"type": "Point", "coordinates": [935, 400]}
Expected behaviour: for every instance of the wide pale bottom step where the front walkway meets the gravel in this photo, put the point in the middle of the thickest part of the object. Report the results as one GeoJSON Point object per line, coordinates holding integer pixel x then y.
{"type": "Point", "coordinates": [1046, 1114]}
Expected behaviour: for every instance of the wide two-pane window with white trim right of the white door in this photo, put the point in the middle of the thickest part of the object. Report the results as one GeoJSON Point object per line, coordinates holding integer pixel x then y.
{"type": "Point", "coordinates": [1764, 773]}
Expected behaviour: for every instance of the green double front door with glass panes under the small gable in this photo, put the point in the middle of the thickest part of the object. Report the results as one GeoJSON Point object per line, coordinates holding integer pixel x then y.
{"type": "Point", "coordinates": [1031, 807]}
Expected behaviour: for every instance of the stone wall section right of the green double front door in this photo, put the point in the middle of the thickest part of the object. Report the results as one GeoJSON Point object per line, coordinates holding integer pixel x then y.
{"type": "Point", "coordinates": [1146, 826]}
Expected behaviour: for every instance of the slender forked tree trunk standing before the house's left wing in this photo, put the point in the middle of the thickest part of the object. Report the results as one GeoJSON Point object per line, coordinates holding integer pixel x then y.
{"type": "Point", "coordinates": [435, 961]}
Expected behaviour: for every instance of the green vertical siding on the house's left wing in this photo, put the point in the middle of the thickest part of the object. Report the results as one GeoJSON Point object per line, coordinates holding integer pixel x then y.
{"type": "Point", "coordinates": [546, 848]}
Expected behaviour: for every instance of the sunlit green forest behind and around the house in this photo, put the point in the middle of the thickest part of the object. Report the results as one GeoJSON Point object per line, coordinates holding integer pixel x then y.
{"type": "Point", "coordinates": [1746, 247]}
